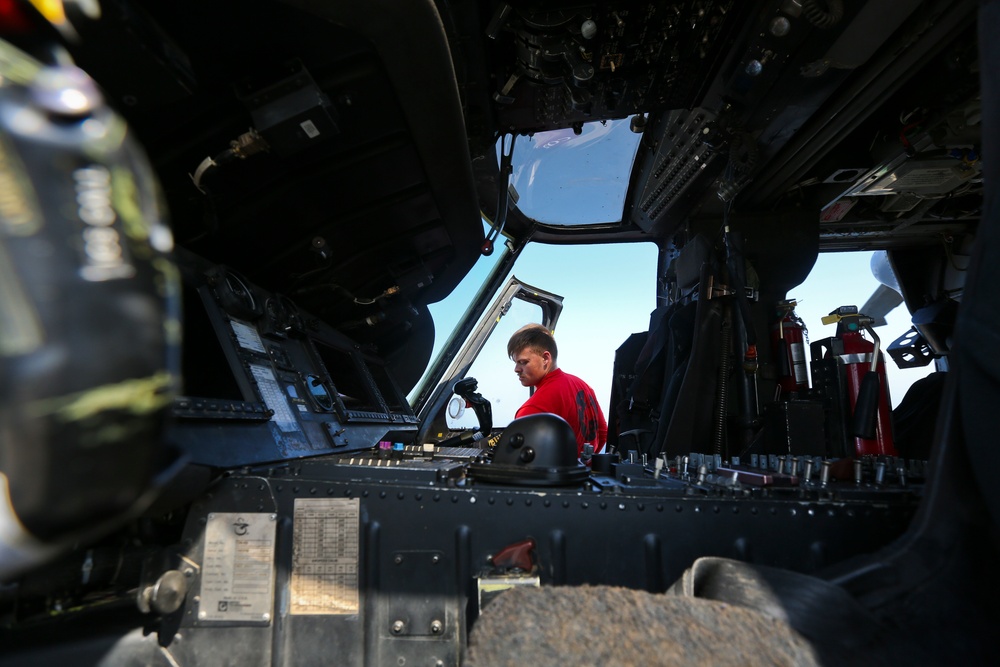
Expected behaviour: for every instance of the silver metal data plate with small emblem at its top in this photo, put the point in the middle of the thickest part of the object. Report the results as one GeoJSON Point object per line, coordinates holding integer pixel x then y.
{"type": "Point", "coordinates": [237, 581]}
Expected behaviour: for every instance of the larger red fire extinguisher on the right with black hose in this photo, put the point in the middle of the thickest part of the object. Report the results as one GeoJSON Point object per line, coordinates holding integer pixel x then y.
{"type": "Point", "coordinates": [867, 387]}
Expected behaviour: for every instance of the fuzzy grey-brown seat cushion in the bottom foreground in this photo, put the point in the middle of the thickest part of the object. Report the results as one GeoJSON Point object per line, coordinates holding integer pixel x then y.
{"type": "Point", "coordinates": [601, 625]}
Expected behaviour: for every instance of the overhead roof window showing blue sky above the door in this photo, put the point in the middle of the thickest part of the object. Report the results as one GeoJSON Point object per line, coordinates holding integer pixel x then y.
{"type": "Point", "coordinates": [564, 178]}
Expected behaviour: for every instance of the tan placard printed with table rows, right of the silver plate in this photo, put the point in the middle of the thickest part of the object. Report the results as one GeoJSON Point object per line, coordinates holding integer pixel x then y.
{"type": "Point", "coordinates": [325, 556]}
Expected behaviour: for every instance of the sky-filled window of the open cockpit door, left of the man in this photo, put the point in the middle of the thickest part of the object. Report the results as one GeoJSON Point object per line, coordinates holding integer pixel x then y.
{"type": "Point", "coordinates": [494, 371]}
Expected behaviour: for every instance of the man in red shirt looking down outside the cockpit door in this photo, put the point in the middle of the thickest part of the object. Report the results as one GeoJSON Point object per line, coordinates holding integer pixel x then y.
{"type": "Point", "coordinates": [533, 351]}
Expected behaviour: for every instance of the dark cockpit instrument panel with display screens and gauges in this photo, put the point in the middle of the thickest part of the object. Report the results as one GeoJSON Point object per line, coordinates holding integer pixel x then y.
{"type": "Point", "coordinates": [283, 383]}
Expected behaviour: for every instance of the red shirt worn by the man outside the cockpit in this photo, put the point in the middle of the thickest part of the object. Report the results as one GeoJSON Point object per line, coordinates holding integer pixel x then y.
{"type": "Point", "coordinates": [572, 399]}
